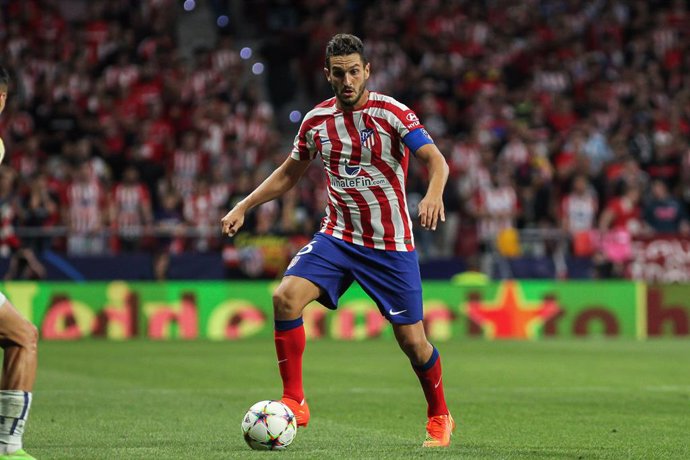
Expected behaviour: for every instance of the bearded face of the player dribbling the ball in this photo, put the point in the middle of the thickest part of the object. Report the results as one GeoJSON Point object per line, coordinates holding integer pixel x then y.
{"type": "Point", "coordinates": [348, 76]}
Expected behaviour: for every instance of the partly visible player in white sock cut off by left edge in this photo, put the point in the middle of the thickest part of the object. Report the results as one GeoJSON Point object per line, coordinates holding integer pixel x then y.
{"type": "Point", "coordinates": [18, 338]}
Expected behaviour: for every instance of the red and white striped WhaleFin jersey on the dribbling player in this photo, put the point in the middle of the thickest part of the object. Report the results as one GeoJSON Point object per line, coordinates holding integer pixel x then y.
{"type": "Point", "coordinates": [366, 164]}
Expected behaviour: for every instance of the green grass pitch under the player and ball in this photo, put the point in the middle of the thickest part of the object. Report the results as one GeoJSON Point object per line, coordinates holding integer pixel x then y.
{"type": "Point", "coordinates": [513, 400]}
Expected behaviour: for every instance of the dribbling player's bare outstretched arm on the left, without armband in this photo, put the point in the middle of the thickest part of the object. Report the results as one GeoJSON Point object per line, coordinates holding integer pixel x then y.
{"type": "Point", "coordinates": [279, 182]}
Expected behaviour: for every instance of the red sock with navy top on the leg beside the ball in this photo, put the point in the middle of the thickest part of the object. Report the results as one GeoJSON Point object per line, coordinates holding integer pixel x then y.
{"type": "Point", "coordinates": [290, 341]}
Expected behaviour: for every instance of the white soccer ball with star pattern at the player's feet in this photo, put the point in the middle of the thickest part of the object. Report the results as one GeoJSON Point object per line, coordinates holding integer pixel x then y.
{"type": "Point", "coordinates": [269, 425]}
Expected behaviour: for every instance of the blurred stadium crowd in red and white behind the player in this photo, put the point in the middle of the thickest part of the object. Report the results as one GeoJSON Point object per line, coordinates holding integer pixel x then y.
{"type": "Point", "coordinates": [570, 115]}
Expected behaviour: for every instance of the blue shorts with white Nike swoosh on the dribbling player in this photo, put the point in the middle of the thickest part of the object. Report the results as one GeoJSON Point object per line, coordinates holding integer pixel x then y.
{"type": "Point", "coordinates": [390, 278]}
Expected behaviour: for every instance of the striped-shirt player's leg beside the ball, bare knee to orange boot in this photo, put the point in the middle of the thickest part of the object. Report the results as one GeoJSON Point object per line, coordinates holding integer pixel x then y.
{"type": "Point", "coordinates": [289, 299]}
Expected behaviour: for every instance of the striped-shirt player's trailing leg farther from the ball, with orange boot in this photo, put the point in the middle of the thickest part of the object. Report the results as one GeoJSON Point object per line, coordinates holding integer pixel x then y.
{"type": "Point", "coordinates": [426, 362]}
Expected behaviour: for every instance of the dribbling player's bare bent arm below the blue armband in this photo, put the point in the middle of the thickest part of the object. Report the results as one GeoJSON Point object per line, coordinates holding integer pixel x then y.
{"type": "Point", "coordinates": [431, 207]}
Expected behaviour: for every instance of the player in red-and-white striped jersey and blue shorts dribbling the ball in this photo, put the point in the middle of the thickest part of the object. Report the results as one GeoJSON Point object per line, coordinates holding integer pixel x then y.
{"type": "Point", "coordinates": [365, 140]}
